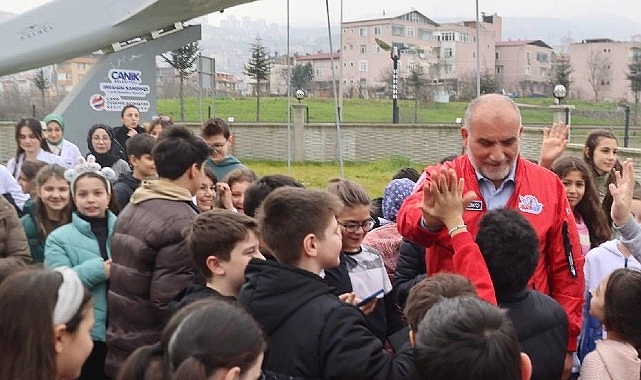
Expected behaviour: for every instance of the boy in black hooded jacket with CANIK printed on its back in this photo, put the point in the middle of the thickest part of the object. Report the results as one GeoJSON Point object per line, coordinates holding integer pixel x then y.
{"type": "Point", "coordinates": [311, 332]}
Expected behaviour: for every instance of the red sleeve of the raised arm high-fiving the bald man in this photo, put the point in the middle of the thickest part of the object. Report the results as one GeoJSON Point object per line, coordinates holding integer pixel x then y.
{"type": "Point", "coordinates": [469, 262]}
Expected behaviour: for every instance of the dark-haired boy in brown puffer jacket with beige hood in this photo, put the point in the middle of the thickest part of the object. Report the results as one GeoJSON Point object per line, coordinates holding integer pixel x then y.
{"type": "Point", "coordinates": [151, 261]}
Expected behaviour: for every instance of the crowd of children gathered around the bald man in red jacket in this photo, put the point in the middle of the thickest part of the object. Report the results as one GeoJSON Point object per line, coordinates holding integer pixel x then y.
{"type": "Point", "coordinates": [161, 256]}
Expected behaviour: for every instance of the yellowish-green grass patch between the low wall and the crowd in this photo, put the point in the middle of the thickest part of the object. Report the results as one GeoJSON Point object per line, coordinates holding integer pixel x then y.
{"type": "Point", "coordinates": [373, 176]}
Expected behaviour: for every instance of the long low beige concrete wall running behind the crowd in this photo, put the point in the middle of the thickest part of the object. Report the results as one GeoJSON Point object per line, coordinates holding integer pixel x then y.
{"type": "Point", "coordinates": [360, 142]}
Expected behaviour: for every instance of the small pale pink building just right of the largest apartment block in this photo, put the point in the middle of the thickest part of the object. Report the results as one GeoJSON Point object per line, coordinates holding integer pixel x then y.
{"type": "Point", "coordinates": [524, 67]}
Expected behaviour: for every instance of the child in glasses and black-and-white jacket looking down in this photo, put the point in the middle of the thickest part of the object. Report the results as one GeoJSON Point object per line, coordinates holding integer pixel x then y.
{"type": "Point", "coordinates": [361, 268]}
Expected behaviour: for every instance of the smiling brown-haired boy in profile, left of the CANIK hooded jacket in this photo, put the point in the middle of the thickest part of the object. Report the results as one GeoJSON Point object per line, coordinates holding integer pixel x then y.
{"type": "Point", "coordinates": [221, 242]}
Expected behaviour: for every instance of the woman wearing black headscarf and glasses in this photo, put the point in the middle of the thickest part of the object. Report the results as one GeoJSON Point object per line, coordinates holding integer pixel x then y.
{"type": "Point", "coordinates": [108, 152]}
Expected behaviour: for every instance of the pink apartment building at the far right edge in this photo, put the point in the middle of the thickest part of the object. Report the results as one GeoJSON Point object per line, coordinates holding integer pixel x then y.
{"type": "Point", "coordinates": [600, 68]}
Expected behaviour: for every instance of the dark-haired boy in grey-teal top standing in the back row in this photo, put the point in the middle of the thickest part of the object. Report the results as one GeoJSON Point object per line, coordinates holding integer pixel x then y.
{"type": "Point", "coordinates": [218, 136]}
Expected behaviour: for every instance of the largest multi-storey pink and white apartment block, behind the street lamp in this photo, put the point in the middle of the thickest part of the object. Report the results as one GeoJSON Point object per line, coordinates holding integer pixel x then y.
{"type": "Point", "coordinates": [445, 52]}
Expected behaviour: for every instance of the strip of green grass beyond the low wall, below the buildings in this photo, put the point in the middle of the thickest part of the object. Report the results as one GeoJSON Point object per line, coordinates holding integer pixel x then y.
{"type": "Point", "coordinates": [369, 111]}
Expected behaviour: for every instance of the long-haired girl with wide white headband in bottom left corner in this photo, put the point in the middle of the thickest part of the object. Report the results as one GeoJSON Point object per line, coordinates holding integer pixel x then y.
{"type": "Point", "coordinates": [45, 335]}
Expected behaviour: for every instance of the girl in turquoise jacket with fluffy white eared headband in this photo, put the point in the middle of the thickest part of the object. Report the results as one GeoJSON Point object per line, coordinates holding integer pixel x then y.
{"type": "Point", "coordinates": [84, 245]}
